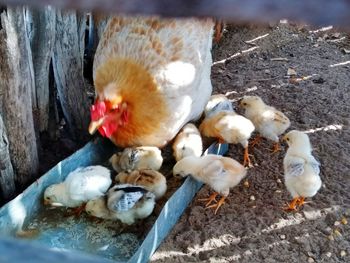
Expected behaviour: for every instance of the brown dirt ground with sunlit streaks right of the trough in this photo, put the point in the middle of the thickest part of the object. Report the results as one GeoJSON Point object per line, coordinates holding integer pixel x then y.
{"type": "Point", "coordinates": [251, 226]}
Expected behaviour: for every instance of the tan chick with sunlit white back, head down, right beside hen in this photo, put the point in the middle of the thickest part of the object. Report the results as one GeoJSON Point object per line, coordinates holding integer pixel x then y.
{"type": "Point", "coordinates": [229, 127]}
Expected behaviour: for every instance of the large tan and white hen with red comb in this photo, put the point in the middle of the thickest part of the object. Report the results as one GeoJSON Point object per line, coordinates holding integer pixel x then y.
{"type": "Point", "coordinates": [151, 76]}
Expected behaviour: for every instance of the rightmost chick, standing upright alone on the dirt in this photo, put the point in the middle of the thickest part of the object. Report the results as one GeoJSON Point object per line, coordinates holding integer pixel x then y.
{"type": "Point", "coordinates": [301, 169]}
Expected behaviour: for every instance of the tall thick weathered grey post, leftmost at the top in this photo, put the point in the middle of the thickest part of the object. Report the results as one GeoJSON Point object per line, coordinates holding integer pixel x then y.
{"type": "Point", "coordinates": [16, 85]}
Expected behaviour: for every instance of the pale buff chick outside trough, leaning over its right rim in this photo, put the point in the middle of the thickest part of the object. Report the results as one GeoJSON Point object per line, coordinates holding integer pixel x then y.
{"type": "Point", "coordinates": [220, 173]}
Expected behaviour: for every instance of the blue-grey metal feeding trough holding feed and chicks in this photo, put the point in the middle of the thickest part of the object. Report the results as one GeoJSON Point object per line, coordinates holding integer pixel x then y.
{"type": "Point", "coordinates": [98, 240]}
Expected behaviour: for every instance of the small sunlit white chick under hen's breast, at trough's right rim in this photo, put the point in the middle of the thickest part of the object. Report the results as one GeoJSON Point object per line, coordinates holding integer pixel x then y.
{"type": "Point", "coordinates": [188, 142]}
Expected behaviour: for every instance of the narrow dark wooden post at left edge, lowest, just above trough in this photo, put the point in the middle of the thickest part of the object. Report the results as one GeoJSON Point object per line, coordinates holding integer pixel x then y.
{"type": "Point", "coordinates": [7, 177]}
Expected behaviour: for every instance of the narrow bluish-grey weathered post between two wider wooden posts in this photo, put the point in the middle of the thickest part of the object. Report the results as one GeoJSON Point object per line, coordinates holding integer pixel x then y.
{"type": "Point", "coordinates": [42, 36]}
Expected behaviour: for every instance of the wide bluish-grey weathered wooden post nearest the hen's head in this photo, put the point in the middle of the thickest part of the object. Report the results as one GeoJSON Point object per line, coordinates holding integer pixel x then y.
{"type": "Point", "coordinates": [68, 70]}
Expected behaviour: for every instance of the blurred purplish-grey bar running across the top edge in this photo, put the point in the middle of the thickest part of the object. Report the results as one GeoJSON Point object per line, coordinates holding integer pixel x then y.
{"type": "Point", "coordinates": [318, 12]}
